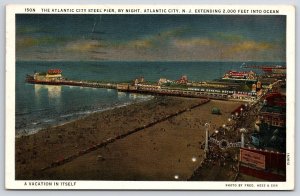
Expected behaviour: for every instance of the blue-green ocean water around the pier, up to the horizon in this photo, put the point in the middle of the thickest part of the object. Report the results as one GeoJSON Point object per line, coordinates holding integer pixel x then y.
{"type": "Point", "coordinates": [39, 106]}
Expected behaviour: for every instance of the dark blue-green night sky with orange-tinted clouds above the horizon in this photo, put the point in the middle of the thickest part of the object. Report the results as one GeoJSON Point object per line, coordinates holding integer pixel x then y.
{"type": "Point", "coordinates": [151, 37]}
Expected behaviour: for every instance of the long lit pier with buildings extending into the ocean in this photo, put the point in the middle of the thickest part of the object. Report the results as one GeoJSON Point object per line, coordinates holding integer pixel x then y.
{"type": "Point", "coordinates": [239, 86]}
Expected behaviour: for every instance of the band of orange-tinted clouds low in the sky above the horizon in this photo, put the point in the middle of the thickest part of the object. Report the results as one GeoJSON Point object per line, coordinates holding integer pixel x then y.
{"type": "Point", "coordinates": [171, 44]}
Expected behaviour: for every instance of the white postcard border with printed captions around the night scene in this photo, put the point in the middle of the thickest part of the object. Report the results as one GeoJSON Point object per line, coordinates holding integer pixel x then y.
{"type": "Point", "coordinates": [10, 181]}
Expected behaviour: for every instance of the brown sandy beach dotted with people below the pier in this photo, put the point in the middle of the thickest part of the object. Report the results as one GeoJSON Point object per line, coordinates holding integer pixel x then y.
{"type": "Point", "coordinates": [167, 150]}
